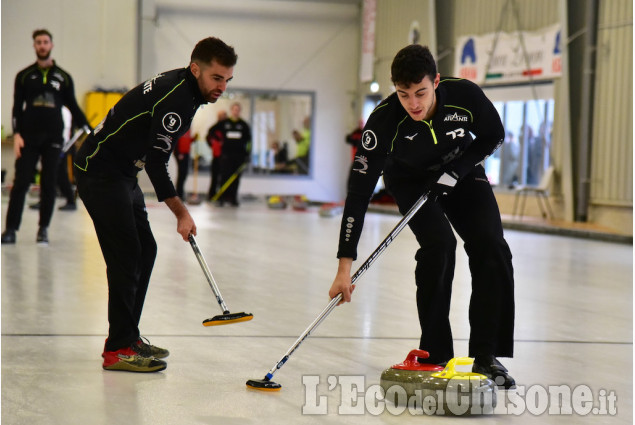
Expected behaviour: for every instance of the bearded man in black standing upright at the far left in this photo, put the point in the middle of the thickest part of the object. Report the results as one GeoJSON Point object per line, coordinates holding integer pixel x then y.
{"type": "Point", "coordinates": [41, 90]}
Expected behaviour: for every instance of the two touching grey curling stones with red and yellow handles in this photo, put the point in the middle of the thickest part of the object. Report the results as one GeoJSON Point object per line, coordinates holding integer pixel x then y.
{"type": "Point", "coordinates": [442, 391]}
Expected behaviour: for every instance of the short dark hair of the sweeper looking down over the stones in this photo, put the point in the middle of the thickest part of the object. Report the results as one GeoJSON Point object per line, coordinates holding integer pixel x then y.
{"type": "Point", "coordinates": [412, 64]}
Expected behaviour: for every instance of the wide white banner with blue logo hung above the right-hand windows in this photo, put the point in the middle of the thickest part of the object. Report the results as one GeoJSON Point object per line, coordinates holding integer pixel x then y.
{"type": "Point", "coordinates": [518, 56]}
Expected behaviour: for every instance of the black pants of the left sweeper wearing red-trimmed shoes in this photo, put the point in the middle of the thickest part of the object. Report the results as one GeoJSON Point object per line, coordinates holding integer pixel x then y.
{"type": "Point", "coordinates": [118, 210]}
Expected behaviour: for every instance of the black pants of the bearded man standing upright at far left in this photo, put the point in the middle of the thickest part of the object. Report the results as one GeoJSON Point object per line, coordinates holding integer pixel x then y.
{"type": "Point", "coordinates": [36, 146]}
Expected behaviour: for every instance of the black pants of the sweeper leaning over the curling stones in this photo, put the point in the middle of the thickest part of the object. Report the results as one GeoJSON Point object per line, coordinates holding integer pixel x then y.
{"type": "Point", "coordinates": [473, 212]}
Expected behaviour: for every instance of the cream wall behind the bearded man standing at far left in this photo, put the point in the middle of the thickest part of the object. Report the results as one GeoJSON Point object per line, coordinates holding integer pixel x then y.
{"type": "Point", "coordinates": [94, 40]}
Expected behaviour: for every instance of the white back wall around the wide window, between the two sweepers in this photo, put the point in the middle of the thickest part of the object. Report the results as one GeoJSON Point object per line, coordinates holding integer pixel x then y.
{"type": "Point", "coordinates": [285, 45]}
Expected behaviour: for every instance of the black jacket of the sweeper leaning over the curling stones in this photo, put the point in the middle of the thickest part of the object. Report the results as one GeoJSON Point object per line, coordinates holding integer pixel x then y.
{"type": "Point", "coordinates": [464, 131]}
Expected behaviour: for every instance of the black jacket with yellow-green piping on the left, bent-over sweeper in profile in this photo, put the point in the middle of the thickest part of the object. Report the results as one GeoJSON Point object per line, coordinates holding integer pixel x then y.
{"type": "Point", "coordinates": [142, 130]}
